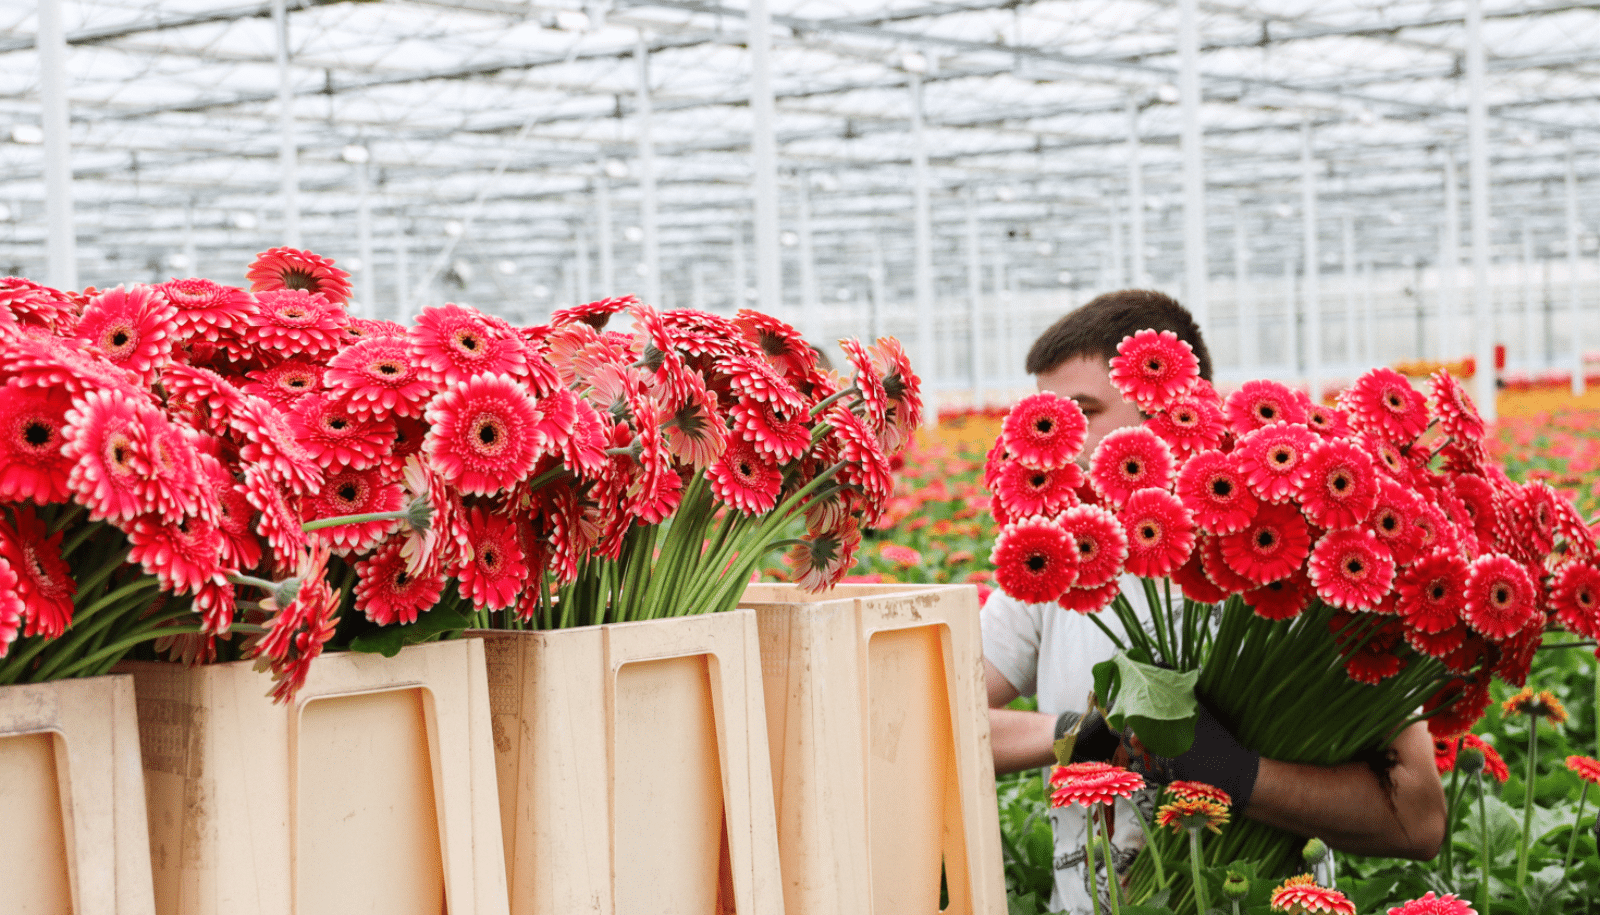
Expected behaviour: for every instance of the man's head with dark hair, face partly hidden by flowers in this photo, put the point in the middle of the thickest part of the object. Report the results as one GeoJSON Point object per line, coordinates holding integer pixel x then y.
{"type": "Point", "coordinates": [1073, 358]}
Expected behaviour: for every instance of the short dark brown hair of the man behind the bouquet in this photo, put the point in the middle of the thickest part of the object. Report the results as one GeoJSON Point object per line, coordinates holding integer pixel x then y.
{"type": "Point", "coordinates": [1100, 326]}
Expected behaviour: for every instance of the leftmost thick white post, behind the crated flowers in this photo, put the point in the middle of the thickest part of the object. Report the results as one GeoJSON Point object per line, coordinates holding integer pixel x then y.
{"type": "Point", "coordinates": [62, 238]}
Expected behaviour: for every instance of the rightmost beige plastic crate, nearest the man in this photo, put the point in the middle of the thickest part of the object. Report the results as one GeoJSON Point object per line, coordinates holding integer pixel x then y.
{"type": "Point", "coordinates": [879, 732]}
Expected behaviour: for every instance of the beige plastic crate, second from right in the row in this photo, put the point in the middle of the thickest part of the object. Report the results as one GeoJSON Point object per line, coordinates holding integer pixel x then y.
{"type": "Point", "coordinates": [633, 769]}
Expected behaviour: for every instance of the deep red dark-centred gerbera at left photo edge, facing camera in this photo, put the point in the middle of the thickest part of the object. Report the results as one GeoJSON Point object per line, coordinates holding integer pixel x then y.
{"type": "Point", "coordinates": [33, 465]}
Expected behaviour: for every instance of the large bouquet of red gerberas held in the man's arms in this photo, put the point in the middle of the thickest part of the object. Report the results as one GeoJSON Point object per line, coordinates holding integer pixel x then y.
{"type": "Point", "coordinates": [1345, 572]}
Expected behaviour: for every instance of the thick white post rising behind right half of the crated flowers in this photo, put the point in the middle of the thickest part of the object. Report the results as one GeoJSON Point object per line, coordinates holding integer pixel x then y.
{"type": "Point", "coordinates": [764, 159]}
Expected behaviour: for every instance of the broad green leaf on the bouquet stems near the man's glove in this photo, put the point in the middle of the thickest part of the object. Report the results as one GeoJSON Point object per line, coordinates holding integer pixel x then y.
{"type": "Point", "coordinates": [1159, 705]}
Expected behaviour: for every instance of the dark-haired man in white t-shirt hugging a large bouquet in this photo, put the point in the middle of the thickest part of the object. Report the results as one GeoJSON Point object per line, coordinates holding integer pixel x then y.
{"type": "Point", "coordinates": [1036, 645]}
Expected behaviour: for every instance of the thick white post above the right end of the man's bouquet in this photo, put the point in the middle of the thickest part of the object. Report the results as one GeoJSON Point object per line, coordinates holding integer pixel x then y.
{"type": "Point", "coordinates": [1479, 193]}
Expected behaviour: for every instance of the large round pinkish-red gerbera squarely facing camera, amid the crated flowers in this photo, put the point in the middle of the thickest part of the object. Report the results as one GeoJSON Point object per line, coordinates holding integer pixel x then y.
{"type": "Point", "coordinates": [484, 436]}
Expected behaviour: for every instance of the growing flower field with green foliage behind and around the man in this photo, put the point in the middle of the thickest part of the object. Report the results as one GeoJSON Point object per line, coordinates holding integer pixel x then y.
{"type": "Point", "coordinates": [940, 530]}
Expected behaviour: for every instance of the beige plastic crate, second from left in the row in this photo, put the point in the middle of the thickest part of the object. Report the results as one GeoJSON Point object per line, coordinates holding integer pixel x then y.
{"type": "Point", "coordinates": [372, 793]}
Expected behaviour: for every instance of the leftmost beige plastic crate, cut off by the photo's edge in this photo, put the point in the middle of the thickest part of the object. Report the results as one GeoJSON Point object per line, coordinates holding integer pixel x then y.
{"type": "Point", "coordinates": [73, 801]}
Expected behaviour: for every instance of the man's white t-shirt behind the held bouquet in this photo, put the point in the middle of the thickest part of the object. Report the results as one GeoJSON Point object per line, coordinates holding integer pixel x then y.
{"type": "Point", "coordinates": [1050, 653]}
